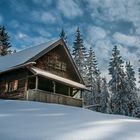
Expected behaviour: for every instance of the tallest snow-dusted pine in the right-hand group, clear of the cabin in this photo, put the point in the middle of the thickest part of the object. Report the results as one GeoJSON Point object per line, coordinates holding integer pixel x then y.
{"type": "Point", "coordinates": [117, 83]}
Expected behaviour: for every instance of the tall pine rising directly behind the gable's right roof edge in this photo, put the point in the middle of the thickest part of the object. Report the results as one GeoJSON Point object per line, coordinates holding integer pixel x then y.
{"type": "Point", "coordinates": [79, 53]}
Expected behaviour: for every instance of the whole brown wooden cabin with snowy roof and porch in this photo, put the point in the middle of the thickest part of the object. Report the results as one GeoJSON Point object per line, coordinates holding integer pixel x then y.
{"type": "Point", "coordinates": [45, 73]}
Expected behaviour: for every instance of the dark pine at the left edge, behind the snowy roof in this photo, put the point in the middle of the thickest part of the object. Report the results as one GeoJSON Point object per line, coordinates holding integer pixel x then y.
{"type": "Point", "coordinates": [4, 42]}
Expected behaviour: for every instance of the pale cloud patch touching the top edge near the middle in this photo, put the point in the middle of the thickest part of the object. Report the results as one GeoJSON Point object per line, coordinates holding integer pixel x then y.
{"type": "Point", "coordinates": [69, 8]}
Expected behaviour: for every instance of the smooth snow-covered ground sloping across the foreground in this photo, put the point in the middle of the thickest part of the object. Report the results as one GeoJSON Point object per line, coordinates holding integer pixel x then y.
{"type": "Point", "coordinates": [24, 120]}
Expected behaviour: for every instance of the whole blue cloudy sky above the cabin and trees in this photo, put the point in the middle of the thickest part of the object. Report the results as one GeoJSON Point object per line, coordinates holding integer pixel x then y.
{"type": "Point", "coordinates": [103, 23]}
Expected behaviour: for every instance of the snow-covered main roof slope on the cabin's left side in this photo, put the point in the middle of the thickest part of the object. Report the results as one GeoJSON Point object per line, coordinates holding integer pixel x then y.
{"type": "Point", "coordinates": [12, 60]}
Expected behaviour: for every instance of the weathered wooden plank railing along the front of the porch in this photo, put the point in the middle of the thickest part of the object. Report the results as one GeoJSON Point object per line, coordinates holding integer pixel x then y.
{"type": "Point", "coordinates": [48, 97]}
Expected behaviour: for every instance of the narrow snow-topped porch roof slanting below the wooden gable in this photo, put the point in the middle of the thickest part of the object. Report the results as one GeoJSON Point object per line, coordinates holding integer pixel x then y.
{"type": "Point", "coordinates": [49, 75]}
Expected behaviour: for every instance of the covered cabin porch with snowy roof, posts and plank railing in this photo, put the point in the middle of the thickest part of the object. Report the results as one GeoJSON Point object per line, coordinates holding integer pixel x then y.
{"type": "Point", "coordinates": [47, 87]}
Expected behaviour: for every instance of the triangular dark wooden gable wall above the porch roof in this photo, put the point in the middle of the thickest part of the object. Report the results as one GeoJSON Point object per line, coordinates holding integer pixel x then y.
{"type": "Point", "coordinates": [57, 62]}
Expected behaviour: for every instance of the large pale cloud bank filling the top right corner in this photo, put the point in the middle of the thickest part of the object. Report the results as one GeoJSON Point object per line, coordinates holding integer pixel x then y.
{"type": "Point", "coordinates": [112, 10]}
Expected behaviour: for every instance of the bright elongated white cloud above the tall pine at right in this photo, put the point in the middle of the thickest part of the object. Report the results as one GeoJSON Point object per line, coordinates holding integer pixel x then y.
{"type": "Point", "coordinates": [126, 39]}
